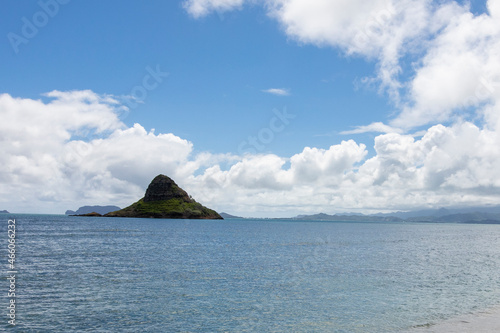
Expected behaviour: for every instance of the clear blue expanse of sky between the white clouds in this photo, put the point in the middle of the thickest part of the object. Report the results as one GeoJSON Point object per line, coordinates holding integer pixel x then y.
{"type": "Point", "coordinates": [218, 68]}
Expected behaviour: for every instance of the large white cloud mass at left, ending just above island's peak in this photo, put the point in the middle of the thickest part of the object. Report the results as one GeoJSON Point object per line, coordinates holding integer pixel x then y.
{"type": "Point", "coordinates": [73, 148]}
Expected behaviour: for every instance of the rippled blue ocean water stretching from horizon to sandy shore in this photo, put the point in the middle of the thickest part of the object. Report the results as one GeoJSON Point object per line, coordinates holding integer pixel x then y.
{"type": "Point", "coordinates": [79, 274]}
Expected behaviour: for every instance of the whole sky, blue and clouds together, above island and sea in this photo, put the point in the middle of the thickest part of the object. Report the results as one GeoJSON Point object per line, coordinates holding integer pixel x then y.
{"type": "Point", "coordinates": [258, 108]}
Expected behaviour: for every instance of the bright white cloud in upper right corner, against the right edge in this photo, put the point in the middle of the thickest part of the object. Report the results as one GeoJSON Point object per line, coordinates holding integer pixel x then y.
{"type": "Point", "coordinates": [460, 70]}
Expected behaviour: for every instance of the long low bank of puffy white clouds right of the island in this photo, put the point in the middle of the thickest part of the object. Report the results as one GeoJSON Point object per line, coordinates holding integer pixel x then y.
{"type": "Point", "coordinates": [454, 165]}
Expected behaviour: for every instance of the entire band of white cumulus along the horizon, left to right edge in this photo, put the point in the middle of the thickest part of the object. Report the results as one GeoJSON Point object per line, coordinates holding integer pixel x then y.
{"type": "Point", "coordinates": [72, 150]}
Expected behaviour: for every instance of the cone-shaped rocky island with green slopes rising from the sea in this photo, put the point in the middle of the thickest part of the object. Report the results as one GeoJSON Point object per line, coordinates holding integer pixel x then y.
{"type": "Point", "coordinates": [164, 199]}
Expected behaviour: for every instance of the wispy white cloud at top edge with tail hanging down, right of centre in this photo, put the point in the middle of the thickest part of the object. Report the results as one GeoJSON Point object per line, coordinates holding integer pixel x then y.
{"type": "Point", "coordinates": [382, 30]}
